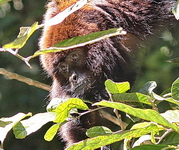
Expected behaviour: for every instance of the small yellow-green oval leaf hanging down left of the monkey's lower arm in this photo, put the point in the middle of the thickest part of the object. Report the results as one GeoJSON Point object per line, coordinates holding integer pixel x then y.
{"type": "Point", "coordinates": [49, 135]}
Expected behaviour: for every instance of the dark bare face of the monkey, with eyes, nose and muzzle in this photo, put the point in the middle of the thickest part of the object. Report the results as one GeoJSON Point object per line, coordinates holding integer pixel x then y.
{"type": "Point", "coordinates": [72, 74]}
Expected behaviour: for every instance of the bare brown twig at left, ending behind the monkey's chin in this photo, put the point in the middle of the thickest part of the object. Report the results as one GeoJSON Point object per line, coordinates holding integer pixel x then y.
{"type": "Point", "coordinates": [26, 80]}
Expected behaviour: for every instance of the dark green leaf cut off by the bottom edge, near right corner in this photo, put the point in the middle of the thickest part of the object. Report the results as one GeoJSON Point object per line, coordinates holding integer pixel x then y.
{"type": "Point", "coordinates": [152, 147]}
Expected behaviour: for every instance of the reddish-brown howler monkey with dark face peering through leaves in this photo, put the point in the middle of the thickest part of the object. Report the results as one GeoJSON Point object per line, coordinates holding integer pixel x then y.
{"type": "Point", "coordinates": [81, 72]}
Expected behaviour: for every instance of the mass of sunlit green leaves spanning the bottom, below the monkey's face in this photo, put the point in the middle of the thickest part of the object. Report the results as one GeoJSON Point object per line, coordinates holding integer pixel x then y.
{"type": "Point", "coordinates": [151, 125]}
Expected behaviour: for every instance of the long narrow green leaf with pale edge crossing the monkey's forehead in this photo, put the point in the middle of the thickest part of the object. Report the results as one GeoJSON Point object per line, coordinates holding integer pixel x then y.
{"type": "Point", "coordinates": [80, 41]}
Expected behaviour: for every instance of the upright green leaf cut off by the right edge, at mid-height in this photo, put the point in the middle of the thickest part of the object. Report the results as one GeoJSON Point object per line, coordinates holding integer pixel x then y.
{"type": "Point", "coordinates": [175, 89]}
